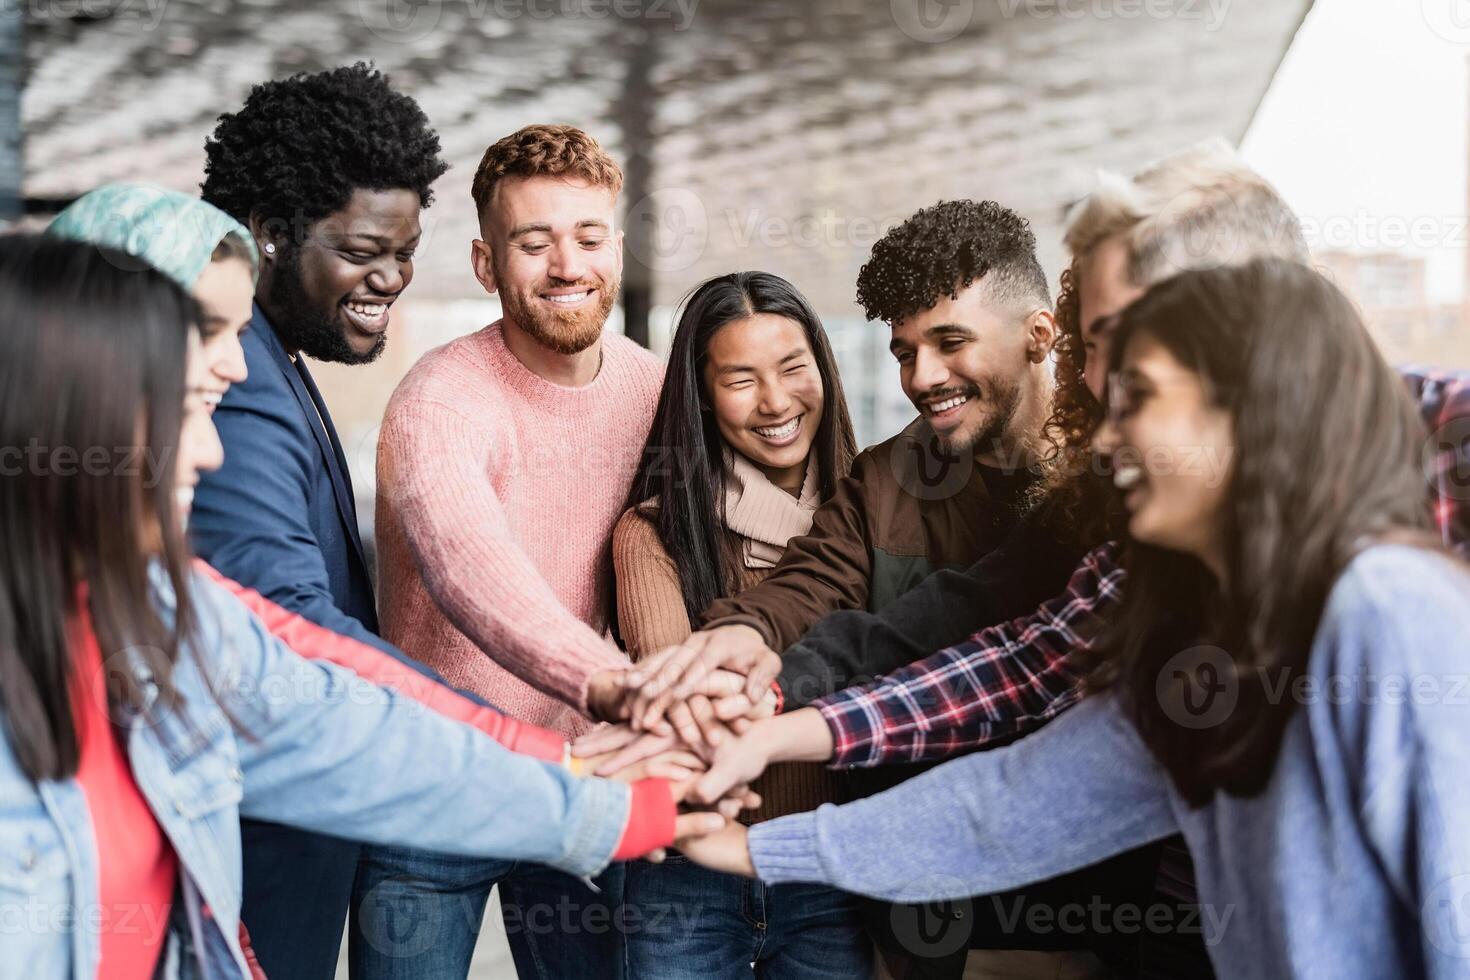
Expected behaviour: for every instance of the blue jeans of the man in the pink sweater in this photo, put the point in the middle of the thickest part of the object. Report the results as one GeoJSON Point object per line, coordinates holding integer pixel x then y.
{"type": "Point", "coordinates": [420, 918]}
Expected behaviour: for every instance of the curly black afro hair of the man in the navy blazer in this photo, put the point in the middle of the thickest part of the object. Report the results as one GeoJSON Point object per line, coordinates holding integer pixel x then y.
{"type": "Point", "coordinates": [301, 146]}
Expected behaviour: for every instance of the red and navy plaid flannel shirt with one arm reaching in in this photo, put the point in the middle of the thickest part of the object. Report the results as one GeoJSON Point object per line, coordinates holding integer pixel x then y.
{"type": "Point", "coordinates": [1014, 678]}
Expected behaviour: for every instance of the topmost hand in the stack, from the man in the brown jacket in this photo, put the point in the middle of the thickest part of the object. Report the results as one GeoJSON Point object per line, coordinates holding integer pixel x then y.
{"type": "Point", "coordinates": [678, 672]}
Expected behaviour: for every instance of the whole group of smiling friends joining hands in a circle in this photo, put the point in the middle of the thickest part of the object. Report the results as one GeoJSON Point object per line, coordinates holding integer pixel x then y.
{"type": "Point", "coordinates": [1141, 647]}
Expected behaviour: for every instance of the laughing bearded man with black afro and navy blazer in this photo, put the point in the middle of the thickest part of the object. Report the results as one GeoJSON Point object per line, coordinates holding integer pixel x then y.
{"type": "Point", "coordinates": [329, 173]}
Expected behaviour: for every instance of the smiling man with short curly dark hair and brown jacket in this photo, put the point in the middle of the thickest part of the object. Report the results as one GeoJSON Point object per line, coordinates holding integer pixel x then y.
{"type": "Point", "coordinates": [969, 314]}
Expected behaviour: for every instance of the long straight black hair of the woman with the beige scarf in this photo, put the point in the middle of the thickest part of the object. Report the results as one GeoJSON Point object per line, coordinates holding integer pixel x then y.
{"type": "Point", "coordinates": [684, 462]}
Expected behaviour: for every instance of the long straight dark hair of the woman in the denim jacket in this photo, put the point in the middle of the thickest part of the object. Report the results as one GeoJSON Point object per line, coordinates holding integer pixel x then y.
{"type": "Point", "coordinates": [92, 390]}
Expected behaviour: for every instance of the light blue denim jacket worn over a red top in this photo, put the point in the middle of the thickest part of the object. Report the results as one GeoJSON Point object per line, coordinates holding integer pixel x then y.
{"type": "Point", "coordinates": [262, 732]}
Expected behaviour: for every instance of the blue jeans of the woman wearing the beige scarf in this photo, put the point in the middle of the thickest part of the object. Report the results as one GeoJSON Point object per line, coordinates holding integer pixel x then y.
{"type": "Point", "coordinates": [690, 923]}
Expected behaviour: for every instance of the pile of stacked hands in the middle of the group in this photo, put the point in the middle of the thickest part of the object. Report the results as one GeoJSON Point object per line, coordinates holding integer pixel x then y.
{"type": "Point", "coordinates": [699, 715]}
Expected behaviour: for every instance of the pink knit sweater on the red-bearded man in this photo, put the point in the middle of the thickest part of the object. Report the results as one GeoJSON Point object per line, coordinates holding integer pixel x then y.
{"type": "Point", "coordinates": [498, 494]}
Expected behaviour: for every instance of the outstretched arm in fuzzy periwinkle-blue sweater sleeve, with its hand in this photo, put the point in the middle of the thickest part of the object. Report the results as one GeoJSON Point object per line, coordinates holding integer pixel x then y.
{"type": "Point", "coordinates": [1071, 796]}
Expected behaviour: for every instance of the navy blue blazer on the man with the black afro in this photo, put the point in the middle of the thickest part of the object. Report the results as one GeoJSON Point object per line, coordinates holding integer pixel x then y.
{"type": "Point", "coordinates": [280, 516]}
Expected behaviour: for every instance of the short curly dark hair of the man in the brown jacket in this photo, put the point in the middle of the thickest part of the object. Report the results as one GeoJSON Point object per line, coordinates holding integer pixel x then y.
{"type": "Point", "coordinates": [944, 249]}
